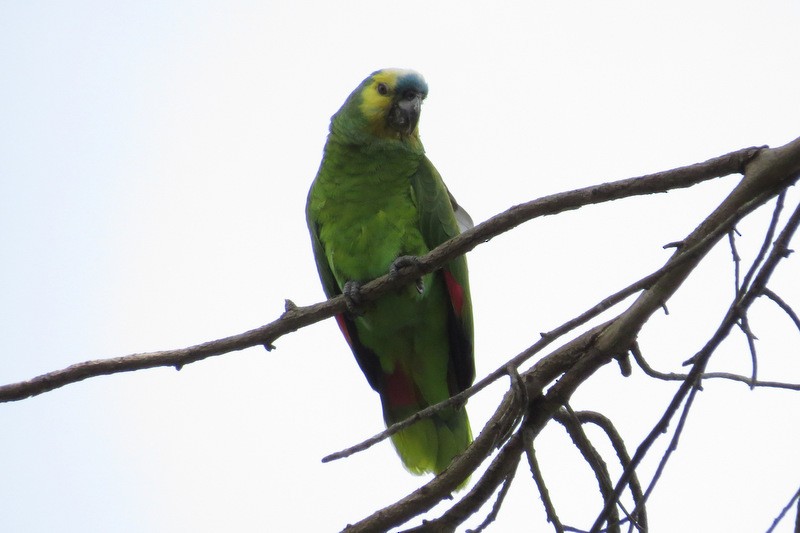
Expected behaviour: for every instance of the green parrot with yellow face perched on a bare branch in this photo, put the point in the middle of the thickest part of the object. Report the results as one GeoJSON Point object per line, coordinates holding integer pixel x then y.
{"type": "Point", "coordinates": [376, 199]}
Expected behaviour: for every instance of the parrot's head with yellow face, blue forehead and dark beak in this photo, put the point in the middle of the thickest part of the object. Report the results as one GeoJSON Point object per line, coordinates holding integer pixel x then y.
{"type": "Point", "coordinates": [385, 107]}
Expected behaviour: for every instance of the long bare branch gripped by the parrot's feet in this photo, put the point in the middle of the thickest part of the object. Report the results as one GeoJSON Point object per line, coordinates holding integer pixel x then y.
{"type": "Point", "coordinates": [297, 317]}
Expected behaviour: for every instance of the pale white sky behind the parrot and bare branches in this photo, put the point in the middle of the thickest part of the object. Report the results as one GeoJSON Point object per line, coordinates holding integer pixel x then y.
{"type": "Point", "coordinates": [154, 165]}
